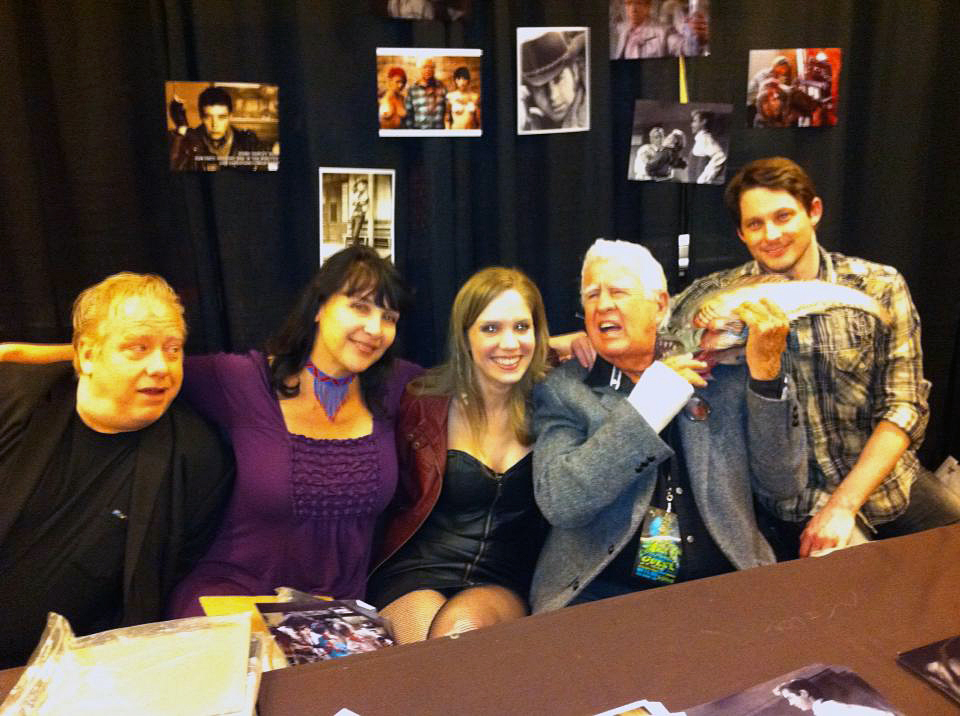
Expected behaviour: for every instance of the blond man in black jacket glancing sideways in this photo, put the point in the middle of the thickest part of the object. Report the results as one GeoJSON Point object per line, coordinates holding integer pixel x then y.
{"type": "Point", "coordinates": [111, 491]}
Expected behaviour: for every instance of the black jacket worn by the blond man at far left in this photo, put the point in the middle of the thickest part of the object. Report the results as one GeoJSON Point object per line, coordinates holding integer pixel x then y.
{"type": "Point", "coordinates": [182, 478]}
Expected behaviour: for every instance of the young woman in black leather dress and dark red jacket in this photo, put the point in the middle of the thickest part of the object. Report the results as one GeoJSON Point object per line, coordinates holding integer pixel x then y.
{"type": "Point", "coordinates": [463, 534]}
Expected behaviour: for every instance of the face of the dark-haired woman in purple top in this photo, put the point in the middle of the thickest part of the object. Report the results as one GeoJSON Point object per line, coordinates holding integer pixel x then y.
{"type": "Point", "coordinates": [353, 333]}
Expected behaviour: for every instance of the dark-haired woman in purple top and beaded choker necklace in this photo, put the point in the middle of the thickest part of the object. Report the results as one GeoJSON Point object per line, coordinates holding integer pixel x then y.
{"type": "Point", "coordinates": [312, 427]}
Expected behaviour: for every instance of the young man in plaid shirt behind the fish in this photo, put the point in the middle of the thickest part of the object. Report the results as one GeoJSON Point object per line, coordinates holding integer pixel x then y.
{"type": "Point", "coordinates": [859, 382]}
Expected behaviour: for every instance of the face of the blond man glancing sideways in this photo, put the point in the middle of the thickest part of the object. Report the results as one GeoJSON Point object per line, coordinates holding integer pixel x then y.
{"type": "Point", "coordinates": [132, 370]}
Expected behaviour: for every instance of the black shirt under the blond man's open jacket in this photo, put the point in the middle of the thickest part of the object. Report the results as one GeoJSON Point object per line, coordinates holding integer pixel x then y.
{"type": "Point", "coordinates": [65, 552]}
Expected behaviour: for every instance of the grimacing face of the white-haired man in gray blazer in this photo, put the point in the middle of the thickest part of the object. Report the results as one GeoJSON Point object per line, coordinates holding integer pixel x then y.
{"type": "Point", "coordinates": [620, 315]}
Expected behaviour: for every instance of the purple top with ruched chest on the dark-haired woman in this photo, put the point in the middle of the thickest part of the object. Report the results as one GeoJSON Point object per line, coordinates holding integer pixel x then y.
{"type": "Point", "coordinates": [303, 511]}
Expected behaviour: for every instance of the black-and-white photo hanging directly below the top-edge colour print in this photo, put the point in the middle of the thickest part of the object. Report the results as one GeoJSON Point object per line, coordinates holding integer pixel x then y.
{"type": "Point", "coordinates": [676, 142]}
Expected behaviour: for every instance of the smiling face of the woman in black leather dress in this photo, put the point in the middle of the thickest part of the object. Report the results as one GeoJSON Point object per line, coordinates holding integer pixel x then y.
{"type": "Point", "coordinates": [502, 341]}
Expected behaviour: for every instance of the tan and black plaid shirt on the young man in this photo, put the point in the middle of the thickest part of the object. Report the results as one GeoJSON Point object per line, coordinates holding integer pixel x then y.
{"type": "Point", "coordinates": [850, 371]}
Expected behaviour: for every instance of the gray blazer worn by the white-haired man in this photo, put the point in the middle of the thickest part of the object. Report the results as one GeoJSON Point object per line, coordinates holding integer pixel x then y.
{"type": "Point", "coordinates": [596, 464]}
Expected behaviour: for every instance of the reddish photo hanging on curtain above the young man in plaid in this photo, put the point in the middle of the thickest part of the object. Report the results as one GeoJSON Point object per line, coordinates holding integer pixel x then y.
{"type": "Point", "coordinates": [797, 87]}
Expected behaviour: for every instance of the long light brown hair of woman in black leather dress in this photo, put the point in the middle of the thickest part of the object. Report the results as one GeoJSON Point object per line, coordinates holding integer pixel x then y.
{"type": "Point", "coordinates": [456, 376]}
